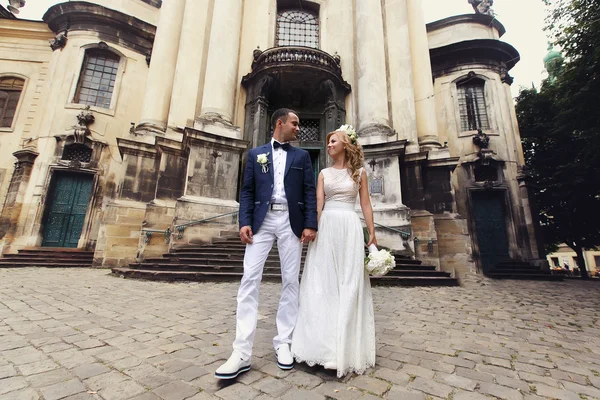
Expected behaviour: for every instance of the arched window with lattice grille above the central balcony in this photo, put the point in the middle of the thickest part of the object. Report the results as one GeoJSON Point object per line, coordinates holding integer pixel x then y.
{"type": "Point", "coordinates": [297, 28]}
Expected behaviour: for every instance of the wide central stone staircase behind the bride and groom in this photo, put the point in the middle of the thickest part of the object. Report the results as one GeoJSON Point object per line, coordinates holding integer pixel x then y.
{"type": "Point", "coordinates": [223, 261]}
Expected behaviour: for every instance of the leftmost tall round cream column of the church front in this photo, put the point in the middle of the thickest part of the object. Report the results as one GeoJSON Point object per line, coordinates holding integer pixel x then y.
{"type": "Point", "coordinates": [157, 98]}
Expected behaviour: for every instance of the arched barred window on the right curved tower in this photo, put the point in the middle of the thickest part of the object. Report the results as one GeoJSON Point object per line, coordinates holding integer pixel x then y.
{"type": "Point", "coordinates": [471, 102]}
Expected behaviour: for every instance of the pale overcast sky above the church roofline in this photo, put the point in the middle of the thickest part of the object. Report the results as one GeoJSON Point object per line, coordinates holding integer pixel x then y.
{"type": "Point", "coordinates": [523, 20]}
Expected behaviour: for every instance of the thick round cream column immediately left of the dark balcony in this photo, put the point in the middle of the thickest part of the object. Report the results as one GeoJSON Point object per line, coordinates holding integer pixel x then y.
{"type": "Point", "coordinates": [220, 82]}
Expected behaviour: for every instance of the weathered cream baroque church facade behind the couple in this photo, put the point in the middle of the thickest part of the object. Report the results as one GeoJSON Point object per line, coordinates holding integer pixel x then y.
{"type": "Point", "coordinates": [125, 124]}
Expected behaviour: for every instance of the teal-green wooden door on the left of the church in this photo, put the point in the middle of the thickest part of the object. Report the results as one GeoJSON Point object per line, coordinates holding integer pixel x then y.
{"type": "Point", "coordinates": [67, 206]}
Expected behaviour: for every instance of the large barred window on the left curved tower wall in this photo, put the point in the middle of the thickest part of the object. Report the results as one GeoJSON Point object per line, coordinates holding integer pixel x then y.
{"type": "Point", "coordinates": [97, 79]}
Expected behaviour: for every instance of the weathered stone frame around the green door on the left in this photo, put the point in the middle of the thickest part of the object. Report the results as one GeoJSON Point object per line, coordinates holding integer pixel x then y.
{"type": "Point", "coordinates": [44, 206]}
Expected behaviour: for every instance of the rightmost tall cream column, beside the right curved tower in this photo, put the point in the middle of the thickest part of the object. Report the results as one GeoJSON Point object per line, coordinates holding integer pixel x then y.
{"type": "Point", "coordinates": [427, 129]}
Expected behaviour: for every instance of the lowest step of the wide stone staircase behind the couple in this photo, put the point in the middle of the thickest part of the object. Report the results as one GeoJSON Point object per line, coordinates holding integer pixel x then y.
{"type": "Point", "coordinates": [231, 276]}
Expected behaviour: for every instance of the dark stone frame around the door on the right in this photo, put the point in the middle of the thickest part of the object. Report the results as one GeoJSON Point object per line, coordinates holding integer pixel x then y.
{"type": "Point", "coordinates": [502, 192]}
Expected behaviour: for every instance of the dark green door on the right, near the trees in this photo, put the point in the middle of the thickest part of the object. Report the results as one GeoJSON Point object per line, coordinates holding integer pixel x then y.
{"type": "Point", "coordinates": [489, 213]}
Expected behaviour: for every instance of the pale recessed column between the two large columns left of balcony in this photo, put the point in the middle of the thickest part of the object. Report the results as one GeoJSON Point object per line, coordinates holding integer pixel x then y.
{"type": "Point", "coordinates": [190, 62]}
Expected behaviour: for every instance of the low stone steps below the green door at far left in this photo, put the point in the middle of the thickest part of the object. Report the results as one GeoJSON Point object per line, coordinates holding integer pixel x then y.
{"type": "Point", "coordinates": [50, 257]}
